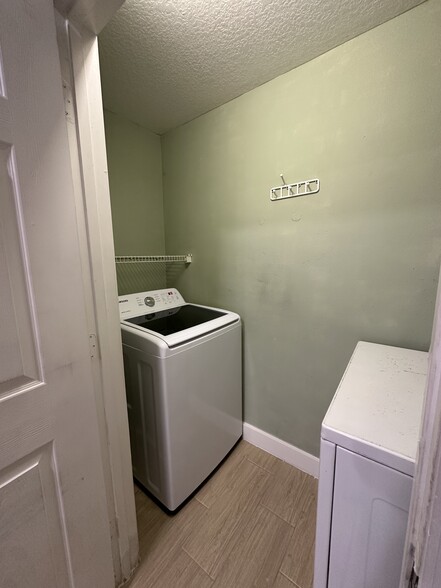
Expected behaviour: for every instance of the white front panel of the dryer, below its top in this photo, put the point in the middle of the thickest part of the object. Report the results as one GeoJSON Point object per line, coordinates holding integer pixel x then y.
{"type": "Point", "coordinates": [369, 519]}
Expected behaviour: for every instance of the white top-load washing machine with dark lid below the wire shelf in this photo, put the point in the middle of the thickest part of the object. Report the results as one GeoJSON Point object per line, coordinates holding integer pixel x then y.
{"type": "Point", "coordinates": [183, 372]}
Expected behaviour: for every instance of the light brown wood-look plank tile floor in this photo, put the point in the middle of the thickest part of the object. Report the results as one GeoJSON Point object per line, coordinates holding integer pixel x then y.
{"type": "Point", "coordinates": [251, 525]}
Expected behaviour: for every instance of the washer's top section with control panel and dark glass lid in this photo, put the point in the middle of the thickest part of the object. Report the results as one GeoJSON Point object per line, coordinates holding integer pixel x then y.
{"type": "Point", "coordinates": [164, 314]}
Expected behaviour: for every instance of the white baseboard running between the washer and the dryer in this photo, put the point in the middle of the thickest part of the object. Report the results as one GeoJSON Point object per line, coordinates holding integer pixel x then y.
{"type": "Point", "coordinates": [293, 455]}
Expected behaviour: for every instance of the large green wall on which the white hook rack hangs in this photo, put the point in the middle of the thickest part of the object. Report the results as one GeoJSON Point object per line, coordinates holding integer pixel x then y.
{"type": "Point", "coordinates": [311, 276]}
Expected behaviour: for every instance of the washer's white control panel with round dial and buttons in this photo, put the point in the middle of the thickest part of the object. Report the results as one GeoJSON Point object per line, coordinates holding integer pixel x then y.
{"type": "Point", "coordinates": [144, 302]}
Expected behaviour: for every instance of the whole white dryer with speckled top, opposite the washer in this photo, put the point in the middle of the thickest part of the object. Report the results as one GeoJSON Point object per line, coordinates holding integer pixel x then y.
{"type": "Point", "coordinates": [368, 446]}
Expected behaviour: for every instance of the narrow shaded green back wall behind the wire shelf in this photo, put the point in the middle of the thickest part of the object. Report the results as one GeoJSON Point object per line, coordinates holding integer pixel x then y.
{"type": "Point", "coordinates": [135, 178]}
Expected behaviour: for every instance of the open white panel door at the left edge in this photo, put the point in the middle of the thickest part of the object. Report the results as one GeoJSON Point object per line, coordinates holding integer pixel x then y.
{"type": "Point", "coordinates": [54, 530]}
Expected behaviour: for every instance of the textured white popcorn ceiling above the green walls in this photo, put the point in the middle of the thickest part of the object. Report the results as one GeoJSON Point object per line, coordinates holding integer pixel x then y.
{"type": "Point", "coordinates": [165, 62]}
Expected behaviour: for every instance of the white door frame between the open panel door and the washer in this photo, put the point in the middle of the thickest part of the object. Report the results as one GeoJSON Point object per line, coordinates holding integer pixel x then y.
{"type": "Point", "coordinates": [85, 19]}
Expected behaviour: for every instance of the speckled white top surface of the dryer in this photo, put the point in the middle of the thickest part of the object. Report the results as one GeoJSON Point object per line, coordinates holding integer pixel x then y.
{"type": "Point", "coordinates": [377, 408]}
